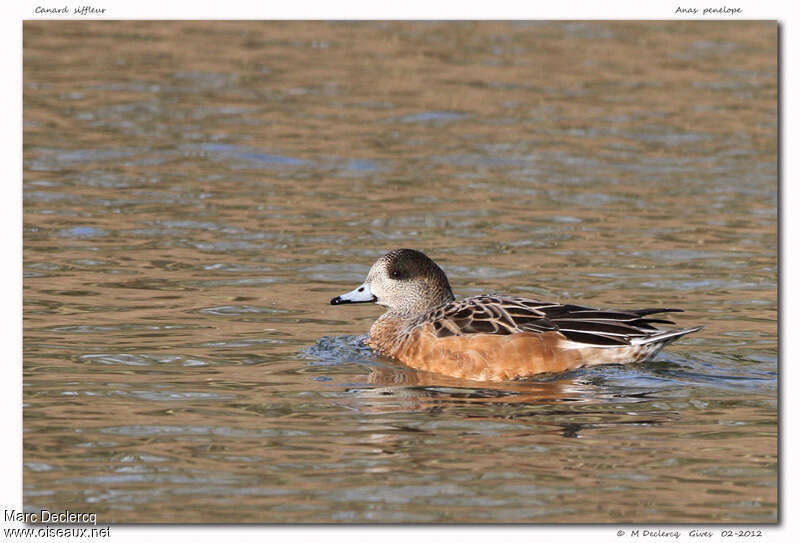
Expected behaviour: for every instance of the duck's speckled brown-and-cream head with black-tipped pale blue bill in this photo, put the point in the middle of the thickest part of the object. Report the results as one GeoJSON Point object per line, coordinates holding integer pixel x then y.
{"type": "Point", "coordinates": [405, 281]}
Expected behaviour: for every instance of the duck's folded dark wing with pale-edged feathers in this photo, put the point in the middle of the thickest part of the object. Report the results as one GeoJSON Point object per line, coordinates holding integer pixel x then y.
{"type": "Point", "coordinates": [511, 315]}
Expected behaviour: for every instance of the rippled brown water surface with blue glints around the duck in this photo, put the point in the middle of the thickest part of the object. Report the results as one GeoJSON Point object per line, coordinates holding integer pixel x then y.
{"type": "Point", "coordinates": [196, 192]}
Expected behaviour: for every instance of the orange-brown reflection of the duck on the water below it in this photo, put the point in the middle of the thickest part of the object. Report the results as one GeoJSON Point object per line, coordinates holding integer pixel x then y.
{"type": "Point", "coordinates": [566, 405]}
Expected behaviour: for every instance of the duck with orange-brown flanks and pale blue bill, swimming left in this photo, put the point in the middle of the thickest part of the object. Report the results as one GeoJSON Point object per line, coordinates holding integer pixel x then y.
{"type": "Point", "coordinates": [494, 337]}
